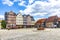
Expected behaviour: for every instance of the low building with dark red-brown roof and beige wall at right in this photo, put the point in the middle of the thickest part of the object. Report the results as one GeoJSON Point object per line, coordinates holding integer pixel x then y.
{"type": "Point", "coordinates": [51, 21]}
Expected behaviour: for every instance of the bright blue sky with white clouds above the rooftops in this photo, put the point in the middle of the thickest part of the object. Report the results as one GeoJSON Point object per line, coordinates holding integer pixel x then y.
{"type": "Point", "coordinates": [37, 8]}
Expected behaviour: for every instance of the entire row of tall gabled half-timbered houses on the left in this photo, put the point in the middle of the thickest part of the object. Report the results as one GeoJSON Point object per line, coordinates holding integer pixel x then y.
{"type": "Point", "coordinates": [19, 20]}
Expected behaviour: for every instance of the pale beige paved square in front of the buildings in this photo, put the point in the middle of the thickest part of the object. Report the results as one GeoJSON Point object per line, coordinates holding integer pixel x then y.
{"type": "Point", "coordinates": [30, 34]}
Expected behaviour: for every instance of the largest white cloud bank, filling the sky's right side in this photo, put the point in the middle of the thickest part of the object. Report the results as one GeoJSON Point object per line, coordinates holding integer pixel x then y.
{"type": "Point", "coordinates": [43, 8]}
